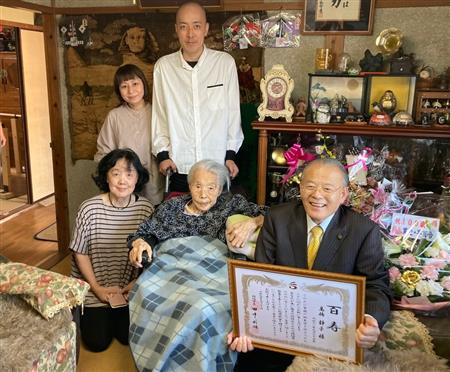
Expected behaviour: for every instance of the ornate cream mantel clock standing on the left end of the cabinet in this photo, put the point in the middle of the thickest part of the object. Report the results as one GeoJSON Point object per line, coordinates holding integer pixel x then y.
{"type": "Point", "coordinates": [276, 88]}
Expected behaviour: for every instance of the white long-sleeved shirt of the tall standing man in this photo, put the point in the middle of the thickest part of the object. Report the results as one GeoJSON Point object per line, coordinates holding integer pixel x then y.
{"type": "Point", "coordinates": [196, 110]}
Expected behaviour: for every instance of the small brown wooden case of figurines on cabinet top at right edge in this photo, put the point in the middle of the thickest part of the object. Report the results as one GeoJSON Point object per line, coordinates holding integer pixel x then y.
{"type": "Point", "coordinates": [432, 107]}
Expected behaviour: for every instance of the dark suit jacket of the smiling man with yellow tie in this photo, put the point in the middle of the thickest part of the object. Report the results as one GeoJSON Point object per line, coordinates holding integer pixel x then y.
{"type": "Point", "coordinates": [351, 245]}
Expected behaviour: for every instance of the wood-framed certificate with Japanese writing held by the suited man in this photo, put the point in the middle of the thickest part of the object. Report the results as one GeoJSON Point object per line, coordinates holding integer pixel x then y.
{"type": "Point", "coordinates": [297, 311]}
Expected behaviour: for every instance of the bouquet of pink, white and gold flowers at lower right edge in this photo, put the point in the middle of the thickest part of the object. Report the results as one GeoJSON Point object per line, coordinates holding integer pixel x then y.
{"type": "Point", "coordinates": [419, 270]}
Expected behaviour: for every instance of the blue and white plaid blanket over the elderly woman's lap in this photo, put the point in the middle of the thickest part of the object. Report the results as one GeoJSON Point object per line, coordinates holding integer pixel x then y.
{"type": "Point", "coordinates": [180, 308]}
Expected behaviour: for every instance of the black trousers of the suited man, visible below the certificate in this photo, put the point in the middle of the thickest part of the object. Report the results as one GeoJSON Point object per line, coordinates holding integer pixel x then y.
{"type": "Point", "coordinates": [263, 361]}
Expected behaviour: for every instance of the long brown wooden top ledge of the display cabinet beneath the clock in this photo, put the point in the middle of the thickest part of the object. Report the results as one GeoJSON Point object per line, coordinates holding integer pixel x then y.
{"type": "Point", "coordinates": [355, 129]}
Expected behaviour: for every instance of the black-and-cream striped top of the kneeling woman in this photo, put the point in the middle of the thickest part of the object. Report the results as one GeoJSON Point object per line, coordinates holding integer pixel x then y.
{"type": "Point", "coordinates": [101, 232]}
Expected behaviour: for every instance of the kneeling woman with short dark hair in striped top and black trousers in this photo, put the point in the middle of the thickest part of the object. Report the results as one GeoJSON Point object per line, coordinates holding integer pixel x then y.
{"type": "Point", "coordinates": [100, 253]}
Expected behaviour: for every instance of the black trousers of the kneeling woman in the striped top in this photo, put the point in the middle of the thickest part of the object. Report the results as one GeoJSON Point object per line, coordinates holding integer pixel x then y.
{"type": "Point", "coordinates": [99, 325]}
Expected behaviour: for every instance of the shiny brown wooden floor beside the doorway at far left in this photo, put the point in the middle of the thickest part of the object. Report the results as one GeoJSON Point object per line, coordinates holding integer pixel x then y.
{"type": "Point", "coordinates": [17, 241]}
